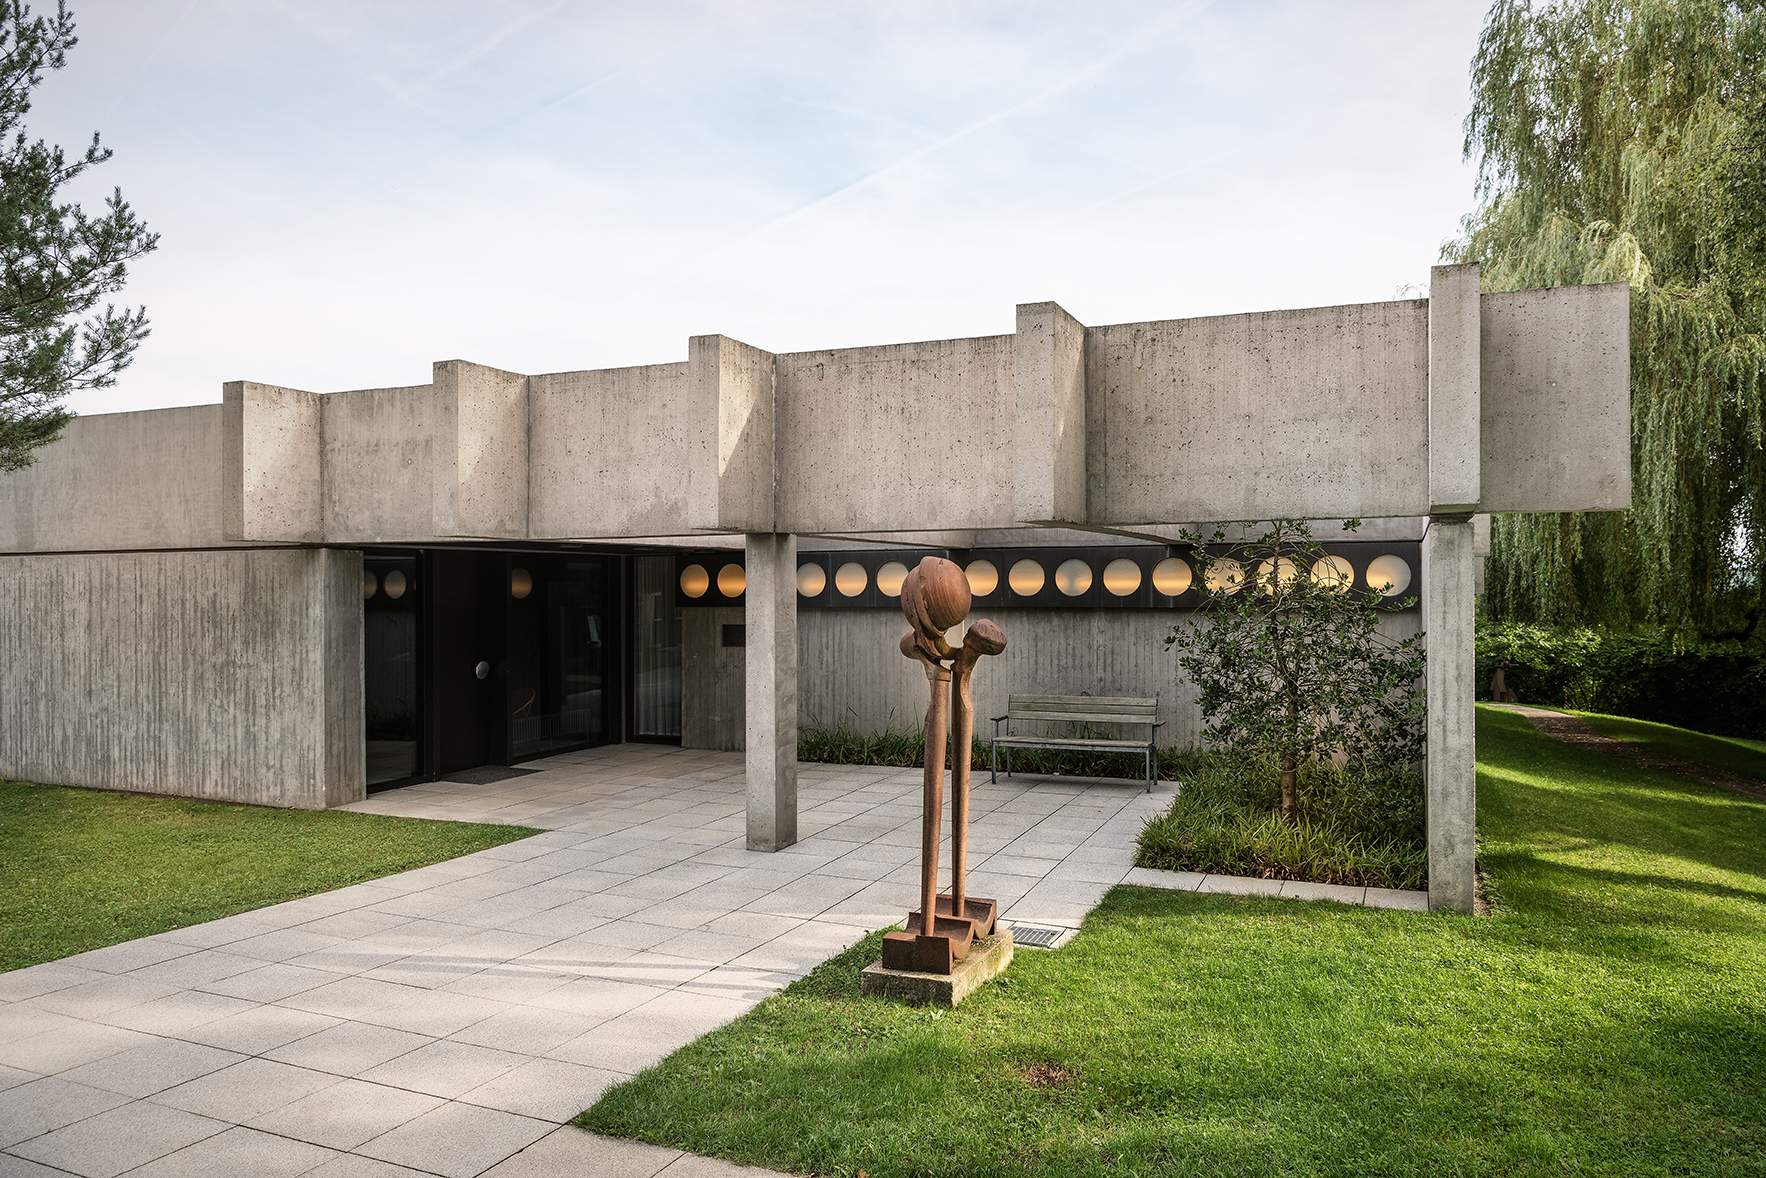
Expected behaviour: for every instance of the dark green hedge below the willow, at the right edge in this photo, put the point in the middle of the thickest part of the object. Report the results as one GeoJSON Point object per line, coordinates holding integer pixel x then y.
{"type": "Point", "coordinates": [1716, 688]}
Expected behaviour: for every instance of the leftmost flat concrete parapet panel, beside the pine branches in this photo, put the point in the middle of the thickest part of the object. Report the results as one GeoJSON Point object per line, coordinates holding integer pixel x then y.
{"type": "Point", "coordinates": [121, 481]}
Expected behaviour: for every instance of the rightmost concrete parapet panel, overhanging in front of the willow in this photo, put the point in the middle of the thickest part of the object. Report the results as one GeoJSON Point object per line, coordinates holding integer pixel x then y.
{"type": "Point", "coordinates": [1557, 375]}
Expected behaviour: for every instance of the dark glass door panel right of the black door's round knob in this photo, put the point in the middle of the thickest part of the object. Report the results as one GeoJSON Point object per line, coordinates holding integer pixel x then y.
{"type": "Point", "coordinates": [562, 653]}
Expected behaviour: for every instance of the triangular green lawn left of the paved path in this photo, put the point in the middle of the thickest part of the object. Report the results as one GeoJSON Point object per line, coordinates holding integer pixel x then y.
{"type": "Point", "coordinates": [86, 868]}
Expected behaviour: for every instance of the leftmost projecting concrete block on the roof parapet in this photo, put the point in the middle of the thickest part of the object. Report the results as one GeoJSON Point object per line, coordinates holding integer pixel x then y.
{"type": "Point", "coordinates": [271, 474]}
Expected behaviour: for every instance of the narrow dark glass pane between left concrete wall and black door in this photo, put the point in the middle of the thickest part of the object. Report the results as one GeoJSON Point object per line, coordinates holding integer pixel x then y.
{"type": "Point", "coordinates": [391, 698]}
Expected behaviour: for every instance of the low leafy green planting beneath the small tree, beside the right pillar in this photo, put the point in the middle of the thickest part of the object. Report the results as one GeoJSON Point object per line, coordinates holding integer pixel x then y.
{"type": "Point", "coordinates": [1352, 827]}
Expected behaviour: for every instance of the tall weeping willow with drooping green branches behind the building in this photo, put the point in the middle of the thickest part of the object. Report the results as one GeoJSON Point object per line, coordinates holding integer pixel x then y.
{"type": "Point", "coordinates": [1626, 142]}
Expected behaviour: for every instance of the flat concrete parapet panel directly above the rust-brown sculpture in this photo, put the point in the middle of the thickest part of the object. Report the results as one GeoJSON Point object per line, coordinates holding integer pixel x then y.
{"type": "Point", "coordinates": [903, 437]}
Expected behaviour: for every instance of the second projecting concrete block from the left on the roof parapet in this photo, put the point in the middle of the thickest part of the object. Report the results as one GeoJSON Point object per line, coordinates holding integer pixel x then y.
{"type": "Point", "coordinates": [481, 451]}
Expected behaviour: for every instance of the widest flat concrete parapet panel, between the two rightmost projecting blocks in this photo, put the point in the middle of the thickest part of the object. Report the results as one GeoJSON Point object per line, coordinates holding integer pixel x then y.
{"type": "Point", "coordinates": [1318, 414]}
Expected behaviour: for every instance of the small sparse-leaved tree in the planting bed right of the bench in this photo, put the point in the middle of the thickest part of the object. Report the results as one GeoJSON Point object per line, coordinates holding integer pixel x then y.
{"type": "Point", "coordinates": [1290, 663]}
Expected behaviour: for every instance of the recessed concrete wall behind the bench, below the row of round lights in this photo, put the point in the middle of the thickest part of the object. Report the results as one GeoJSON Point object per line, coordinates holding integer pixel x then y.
{"type": "Point", "coordinates": [854, 676]}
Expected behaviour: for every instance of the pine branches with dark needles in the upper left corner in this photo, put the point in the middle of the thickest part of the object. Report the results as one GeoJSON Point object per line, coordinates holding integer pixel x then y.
{"type": "Point", "coordinates": [57, 261]}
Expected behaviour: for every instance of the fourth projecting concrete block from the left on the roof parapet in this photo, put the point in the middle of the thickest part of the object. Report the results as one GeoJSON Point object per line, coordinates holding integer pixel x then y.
{"type": "Point", "coordinates": [1050, 419]}
